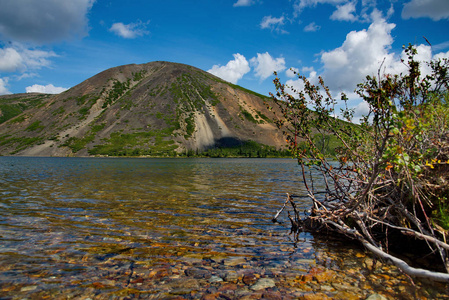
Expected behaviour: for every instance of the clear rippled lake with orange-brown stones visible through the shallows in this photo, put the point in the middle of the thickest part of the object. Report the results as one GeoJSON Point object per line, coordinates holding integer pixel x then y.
{"type": "Point", "coordinates": [130, 228]}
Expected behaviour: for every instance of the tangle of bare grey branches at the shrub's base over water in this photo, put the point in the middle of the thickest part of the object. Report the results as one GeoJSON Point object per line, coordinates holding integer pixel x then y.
{"type": "Point", "coordinates": [370, 208]}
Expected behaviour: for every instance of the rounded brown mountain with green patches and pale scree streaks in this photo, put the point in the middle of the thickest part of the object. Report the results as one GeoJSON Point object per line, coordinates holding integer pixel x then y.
{"type": "Point", "coordinates": [156, 108]}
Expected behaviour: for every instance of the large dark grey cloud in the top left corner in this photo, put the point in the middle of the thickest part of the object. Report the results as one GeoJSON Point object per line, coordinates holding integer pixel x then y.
{"type": "Point", "coordinates": [44, 20]}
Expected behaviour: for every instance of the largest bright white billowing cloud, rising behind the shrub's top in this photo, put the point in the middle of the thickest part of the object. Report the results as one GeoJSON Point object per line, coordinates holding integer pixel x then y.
{"type": "Point", "coordinates": [366, 52]}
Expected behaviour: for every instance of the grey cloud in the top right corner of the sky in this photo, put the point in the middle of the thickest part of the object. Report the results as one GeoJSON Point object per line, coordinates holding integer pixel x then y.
{"type": "Point", "coordinates": [434, 9]}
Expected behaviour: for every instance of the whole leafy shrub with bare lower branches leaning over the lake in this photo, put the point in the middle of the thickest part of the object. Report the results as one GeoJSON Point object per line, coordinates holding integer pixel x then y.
{"type": "Point", "coordinates": [389, 177]}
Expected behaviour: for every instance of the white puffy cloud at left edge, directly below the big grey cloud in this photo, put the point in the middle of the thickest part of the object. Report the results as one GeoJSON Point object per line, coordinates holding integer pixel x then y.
{"type": "Point", "coordinates": [19, 59]}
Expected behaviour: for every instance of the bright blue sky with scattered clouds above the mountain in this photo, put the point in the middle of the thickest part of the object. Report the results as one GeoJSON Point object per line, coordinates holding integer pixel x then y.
{"type": "Point", "coordinates": [49, 46]}
